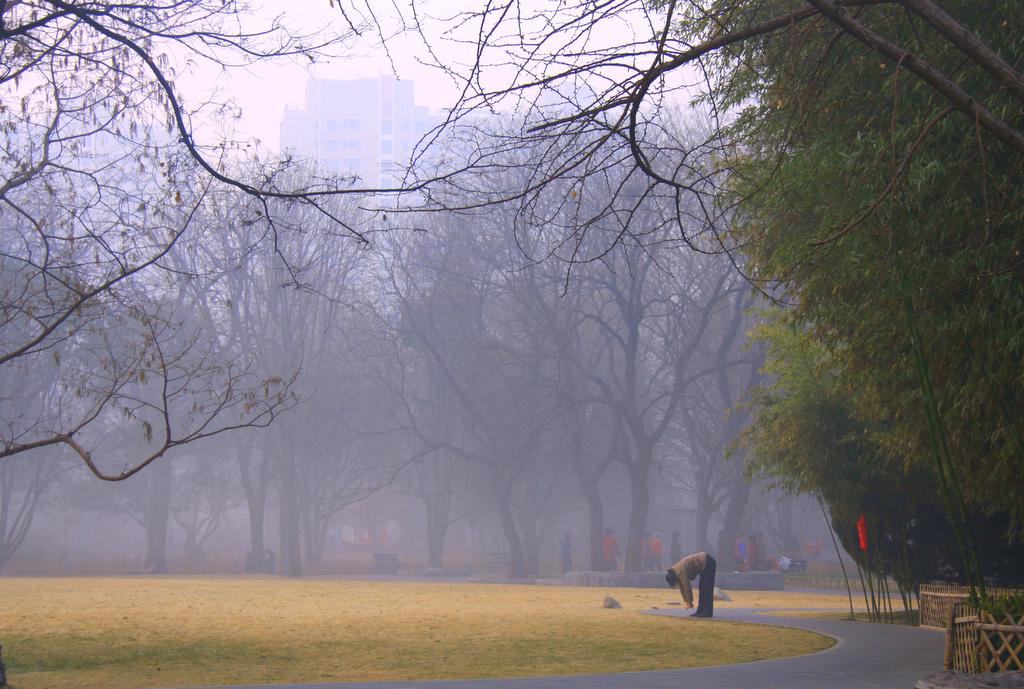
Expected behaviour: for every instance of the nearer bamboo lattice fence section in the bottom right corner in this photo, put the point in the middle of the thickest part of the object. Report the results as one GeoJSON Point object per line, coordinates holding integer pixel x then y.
{"type": "Point", "coordinates": [977, 642]}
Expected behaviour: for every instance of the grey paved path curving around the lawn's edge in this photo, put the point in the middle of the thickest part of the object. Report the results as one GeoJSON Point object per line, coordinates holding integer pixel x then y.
{"type": "Point", "coordinates": [867, 657]}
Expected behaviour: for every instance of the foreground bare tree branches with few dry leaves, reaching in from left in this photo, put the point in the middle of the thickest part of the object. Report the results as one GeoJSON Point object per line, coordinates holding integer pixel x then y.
{"type": "Point", "coordinates": [102, 177]}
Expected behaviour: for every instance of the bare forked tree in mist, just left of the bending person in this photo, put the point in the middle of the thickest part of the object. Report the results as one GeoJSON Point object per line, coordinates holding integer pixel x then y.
{"type": "Point", "coordinates": [656, 312]}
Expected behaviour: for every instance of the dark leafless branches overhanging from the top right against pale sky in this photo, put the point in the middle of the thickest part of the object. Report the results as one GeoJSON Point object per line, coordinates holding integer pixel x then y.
{"type": "Point", "coordinates": [592, 85]}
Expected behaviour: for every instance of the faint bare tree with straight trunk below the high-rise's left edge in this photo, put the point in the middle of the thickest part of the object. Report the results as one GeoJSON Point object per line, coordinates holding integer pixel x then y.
{"type": "Point", "coordinates": [290, 297]}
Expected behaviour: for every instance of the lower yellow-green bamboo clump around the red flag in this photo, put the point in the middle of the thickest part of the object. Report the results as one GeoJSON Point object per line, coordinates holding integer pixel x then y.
{"type": "Point", "coordinates": [809, 440]}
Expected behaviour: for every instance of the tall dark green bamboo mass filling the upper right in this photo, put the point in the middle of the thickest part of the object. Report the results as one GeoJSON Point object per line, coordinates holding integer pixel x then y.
{"type": "Point", "coordinates": [859, 192]}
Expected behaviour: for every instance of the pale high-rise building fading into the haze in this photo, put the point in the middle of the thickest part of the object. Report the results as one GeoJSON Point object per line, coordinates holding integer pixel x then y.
{"type": "Point", "coordinates": [366, 127]}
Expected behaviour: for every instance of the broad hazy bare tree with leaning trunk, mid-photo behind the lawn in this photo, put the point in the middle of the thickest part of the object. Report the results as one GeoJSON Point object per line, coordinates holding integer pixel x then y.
{"type": "Point", "coordinates": [461, 328]}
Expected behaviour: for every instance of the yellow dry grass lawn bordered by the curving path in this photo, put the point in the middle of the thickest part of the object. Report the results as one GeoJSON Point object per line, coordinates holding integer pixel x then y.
{"type": "Point", "coordinates": [116, 633]}
